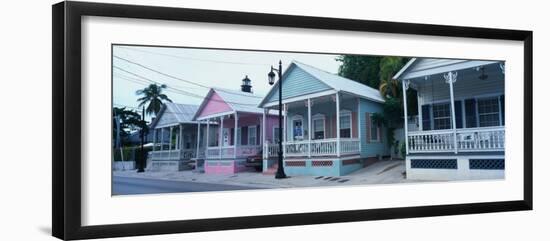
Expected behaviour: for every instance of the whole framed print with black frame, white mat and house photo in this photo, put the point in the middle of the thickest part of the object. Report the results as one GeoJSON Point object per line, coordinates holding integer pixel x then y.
{"type": "Point", "coordinates": [169, 120]}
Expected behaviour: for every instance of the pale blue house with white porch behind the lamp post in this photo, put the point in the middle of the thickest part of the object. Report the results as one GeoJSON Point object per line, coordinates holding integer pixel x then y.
{"type": "Point", "coordinates": [328, 128]}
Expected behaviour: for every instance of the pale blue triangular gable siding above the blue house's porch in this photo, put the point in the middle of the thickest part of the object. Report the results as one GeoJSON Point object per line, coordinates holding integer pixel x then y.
{"type": "Point", "coordinates": [296, 83]}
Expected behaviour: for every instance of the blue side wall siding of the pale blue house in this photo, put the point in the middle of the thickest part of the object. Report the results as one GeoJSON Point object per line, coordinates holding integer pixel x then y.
{"type": "Point", "coordinates": [371, 149]}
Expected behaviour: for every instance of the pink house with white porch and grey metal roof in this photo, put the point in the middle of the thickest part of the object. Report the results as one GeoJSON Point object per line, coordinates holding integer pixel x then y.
{"type": "Point", "coordinates": [234, 131]}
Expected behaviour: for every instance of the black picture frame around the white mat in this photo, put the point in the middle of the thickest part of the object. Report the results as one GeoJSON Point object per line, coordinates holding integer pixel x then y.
{"type": "Point", "coordinates": [66, 127]}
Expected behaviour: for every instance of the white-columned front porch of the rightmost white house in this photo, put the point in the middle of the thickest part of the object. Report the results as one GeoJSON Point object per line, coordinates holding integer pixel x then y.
{"type": "Point", "coordinates": [460, 106]}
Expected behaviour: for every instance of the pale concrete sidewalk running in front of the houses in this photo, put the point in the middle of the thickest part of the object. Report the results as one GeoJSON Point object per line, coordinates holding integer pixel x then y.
{"type": "Point", "coordinates": [382, 172]}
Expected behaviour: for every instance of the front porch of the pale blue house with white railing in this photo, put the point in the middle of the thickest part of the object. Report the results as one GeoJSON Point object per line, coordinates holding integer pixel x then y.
{"type": "Point", "coordinates": [317, 126]}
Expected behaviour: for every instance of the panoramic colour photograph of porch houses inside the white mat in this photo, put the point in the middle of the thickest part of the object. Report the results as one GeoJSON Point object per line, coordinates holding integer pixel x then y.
{"type": "Point", "coordinates": [192, 119]}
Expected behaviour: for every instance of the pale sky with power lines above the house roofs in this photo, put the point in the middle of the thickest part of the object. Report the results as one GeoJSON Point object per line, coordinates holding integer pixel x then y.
{"type": "Point", "coordinates": [191, 71]}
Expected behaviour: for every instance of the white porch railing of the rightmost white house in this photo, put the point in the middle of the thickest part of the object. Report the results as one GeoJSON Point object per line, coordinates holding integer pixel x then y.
{"type": "Point", "coordinates": [468, 139]}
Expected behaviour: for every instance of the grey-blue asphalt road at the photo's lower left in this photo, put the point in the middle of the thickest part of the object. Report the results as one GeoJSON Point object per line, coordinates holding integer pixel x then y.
{"type": "Point", "coordinates": [131, 185]}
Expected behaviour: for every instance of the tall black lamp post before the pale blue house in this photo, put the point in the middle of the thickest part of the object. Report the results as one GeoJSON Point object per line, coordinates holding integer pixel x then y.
{"type": "Point", "coordinates": [271, 78]}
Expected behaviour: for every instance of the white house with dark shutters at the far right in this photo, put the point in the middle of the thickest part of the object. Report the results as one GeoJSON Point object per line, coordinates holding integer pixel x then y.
{"type": "Point", "coordinates": [461, 120]}
